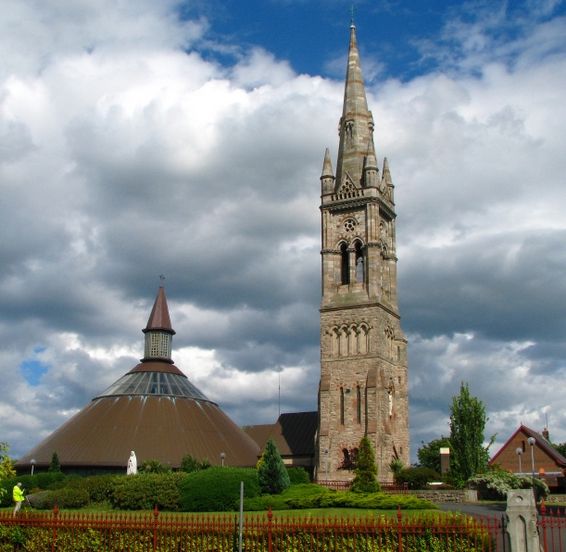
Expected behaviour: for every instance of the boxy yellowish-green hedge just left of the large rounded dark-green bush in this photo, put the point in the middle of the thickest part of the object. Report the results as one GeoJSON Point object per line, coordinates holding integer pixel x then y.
{"type": "Point", "coordinates": [145, 490]}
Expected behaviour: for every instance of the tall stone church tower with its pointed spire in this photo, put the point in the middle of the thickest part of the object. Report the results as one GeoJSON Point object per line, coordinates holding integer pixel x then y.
{"type": "Point", "coordinates": [363, 381]}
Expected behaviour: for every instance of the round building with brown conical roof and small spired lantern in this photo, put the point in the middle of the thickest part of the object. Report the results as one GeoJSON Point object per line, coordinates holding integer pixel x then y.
{"type": "Point", "coordinates": [153, 410]}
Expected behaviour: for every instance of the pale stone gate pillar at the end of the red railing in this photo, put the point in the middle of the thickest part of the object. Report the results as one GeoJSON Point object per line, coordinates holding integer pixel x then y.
{"type": "Point", "coordinates": [522, 521]}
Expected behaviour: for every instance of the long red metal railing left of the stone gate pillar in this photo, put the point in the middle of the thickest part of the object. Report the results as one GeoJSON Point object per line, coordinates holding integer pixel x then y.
{"type": "Point", "coordinates": [261, 533]}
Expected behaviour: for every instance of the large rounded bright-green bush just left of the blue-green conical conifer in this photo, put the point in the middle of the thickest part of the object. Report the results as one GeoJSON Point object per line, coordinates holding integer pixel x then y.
{"type": "Point", "coordinates": [217, 489]}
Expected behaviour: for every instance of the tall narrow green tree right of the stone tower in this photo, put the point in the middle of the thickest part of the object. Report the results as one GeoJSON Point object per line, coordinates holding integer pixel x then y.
{"type": "Point", "coordinates": [467, 425]}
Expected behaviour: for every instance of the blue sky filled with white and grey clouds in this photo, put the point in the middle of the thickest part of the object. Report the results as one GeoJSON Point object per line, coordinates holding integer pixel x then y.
{"type": "Point", "coordinates": [140, 138]}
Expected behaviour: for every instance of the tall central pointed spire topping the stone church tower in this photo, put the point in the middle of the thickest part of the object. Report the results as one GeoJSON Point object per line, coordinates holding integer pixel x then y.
{"type": "Point", "coordinates": [356, 124]}
